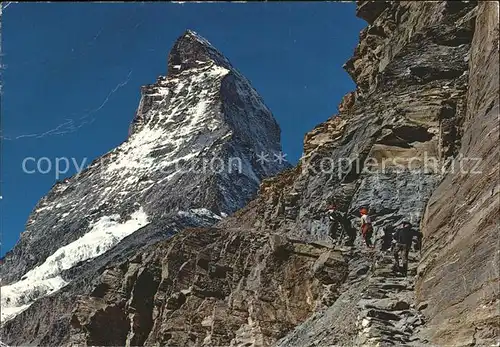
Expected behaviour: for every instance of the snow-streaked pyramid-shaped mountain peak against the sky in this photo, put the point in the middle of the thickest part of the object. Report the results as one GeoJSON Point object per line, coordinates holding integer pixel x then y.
{"type": "Point", "coordinates": [191, 157]}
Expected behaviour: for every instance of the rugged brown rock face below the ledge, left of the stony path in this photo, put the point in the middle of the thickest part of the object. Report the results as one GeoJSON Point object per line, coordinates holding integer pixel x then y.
{"type": "Point", "coordinates": [209, 287]}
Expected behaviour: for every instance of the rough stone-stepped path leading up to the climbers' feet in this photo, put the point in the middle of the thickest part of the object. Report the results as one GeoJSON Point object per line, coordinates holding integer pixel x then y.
{"type": "Point", "coordinates": [375, 307]}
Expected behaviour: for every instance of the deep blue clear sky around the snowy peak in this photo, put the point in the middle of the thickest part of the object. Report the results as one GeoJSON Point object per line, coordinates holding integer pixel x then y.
{"type": "Point", "coordinates": [77, 68]}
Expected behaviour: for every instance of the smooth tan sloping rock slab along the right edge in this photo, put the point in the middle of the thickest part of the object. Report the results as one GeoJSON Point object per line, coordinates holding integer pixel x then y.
{"type": "Point", "coordinates": [459, 283]}
